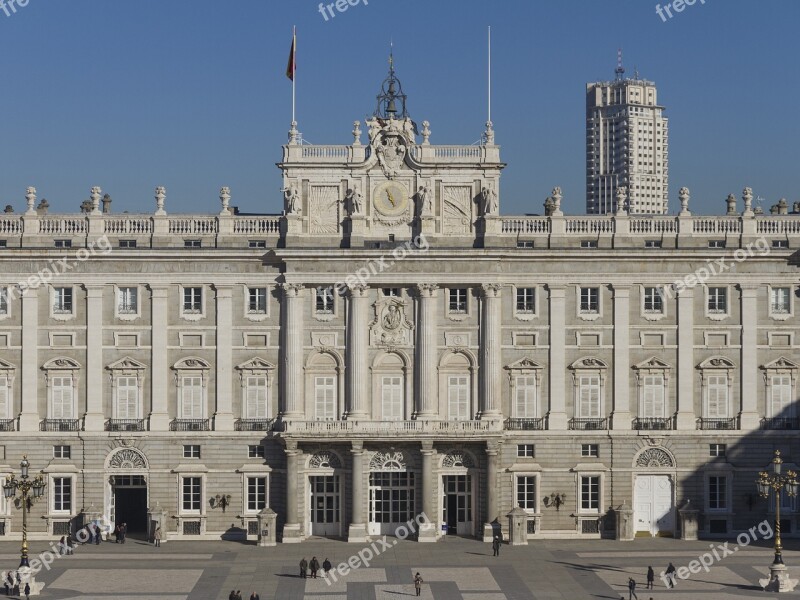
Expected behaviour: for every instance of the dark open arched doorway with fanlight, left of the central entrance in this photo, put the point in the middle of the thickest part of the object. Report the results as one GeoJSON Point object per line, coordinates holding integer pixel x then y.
{"type": "Point", "coordinates": [126, 490]}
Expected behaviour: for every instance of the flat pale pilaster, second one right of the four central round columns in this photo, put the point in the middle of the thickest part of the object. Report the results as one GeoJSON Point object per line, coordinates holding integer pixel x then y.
{"type": "Point", "coordinates": [621, 416]}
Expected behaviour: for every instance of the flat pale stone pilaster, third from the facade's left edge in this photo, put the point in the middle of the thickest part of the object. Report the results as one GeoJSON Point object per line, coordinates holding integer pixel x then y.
{"type": "Point", "coordinates": [159, 388]}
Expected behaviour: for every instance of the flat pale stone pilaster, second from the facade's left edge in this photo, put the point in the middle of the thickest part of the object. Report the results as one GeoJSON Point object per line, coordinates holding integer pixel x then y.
{"type": "Point", "coordinates": [93, 421]}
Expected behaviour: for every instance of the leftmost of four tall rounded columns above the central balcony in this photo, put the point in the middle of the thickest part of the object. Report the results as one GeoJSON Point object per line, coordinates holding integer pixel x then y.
{"type": "Point", "coordinates": [293, 330]}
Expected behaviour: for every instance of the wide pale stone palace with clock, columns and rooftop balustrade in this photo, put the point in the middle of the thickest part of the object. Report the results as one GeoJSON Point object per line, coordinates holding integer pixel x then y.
{"type": "Point", "coordinates": [391, 345]}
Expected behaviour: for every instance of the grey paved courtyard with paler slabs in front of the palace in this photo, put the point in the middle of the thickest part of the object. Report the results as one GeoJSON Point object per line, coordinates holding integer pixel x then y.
{"type": "Point", "coordinates": [456, 569]}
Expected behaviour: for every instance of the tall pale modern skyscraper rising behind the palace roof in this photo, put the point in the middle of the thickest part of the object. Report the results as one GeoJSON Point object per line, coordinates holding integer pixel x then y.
{"type": "Point", "coordinates": [626, 146]}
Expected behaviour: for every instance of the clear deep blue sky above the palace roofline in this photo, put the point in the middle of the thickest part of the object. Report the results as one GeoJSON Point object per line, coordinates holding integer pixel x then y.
{"type": "Point", "coordinates": [192, 94]}
